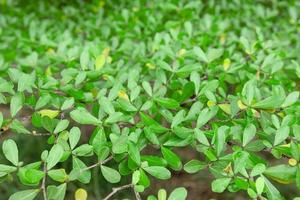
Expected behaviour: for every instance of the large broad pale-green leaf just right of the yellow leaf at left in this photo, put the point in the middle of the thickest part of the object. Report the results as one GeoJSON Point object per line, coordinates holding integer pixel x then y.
{"type": "Point", "coordinates": [82, 116]}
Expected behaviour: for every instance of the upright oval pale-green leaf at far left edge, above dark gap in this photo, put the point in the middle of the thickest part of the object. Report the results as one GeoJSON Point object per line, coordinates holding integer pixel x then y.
{"type": "Point", "coordinates": [10, 151]}
